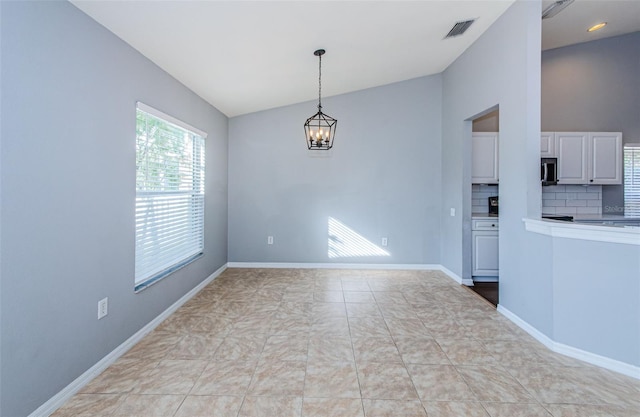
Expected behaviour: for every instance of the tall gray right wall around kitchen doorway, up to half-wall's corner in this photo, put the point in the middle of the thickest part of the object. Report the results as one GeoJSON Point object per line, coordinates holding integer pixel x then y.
{"type": "Point", "coordinates": [501, 69]}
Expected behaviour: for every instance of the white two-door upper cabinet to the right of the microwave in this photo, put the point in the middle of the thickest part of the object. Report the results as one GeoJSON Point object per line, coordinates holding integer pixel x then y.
{"type": "Point", "coordinates": [588, 157]}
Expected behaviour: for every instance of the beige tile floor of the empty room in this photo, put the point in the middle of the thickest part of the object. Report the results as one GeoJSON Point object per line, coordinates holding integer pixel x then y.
{"type": "Point", "coordinates": [342, 343]}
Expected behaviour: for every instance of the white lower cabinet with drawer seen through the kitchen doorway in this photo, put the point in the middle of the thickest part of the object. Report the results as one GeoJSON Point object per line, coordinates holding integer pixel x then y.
{"type": "Point", "coordinates": [484, 235]}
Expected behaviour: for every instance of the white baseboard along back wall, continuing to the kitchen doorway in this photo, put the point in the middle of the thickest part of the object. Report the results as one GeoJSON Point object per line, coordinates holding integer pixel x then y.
{"type": "Point", "coordinates": [412, 267]}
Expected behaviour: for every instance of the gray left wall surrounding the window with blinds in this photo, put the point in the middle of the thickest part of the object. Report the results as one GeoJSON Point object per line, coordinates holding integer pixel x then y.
{"type": "Point", "coordinates": [69, 89]}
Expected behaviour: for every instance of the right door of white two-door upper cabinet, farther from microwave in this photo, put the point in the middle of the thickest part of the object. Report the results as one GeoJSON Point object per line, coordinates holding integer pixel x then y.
{"type": "Point", "coordinates": [605, 158]}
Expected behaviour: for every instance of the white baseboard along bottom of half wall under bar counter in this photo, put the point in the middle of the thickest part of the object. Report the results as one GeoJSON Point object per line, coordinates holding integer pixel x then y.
{"type": "Point", "coordinates": [583, 355]}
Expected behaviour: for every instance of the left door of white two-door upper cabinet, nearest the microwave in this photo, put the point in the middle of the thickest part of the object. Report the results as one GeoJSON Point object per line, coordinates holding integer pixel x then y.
{"type": "Point", "coordinates": [572, 149]}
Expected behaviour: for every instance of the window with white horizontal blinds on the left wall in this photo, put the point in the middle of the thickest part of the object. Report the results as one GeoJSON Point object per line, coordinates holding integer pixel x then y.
{"type": "Point", "coordinates": [169, 195]}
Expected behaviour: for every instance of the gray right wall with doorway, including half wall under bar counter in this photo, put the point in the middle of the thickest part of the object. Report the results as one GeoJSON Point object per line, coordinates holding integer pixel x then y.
{"type": "Point", "coordinates": [538, 274]}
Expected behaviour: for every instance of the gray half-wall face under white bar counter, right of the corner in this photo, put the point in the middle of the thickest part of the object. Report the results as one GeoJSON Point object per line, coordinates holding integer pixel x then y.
{"type": "Point", "coordinates": [597, 297]}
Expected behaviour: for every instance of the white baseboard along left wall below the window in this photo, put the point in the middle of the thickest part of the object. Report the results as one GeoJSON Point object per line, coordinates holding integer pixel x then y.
{"type": "Point", "coordinates": [67, 392]}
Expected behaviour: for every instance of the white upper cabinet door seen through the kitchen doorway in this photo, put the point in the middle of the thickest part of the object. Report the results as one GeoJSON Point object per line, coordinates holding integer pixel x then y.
{"type": "Point", "coordinates": [484, 159]}
